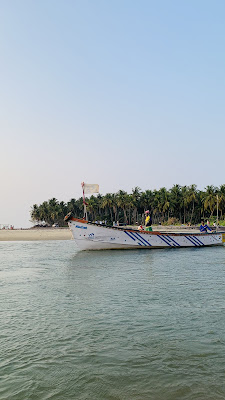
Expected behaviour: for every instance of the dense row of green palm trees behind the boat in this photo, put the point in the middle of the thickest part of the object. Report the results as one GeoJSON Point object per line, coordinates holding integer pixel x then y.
{"type": "Point", "coordinates": [180, 204]}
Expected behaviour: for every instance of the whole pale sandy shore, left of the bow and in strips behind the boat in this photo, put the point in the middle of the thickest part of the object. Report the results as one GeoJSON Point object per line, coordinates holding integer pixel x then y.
{"type": "Point", "coordinates": [65, 233]}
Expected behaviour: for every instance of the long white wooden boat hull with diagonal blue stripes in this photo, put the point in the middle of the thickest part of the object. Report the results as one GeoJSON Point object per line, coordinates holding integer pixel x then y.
{"type": "Point", "coordinates": [92, 236]}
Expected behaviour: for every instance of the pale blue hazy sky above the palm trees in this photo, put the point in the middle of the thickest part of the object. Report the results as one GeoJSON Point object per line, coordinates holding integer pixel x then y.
{"type": "Point", "coordinates": [121, 93]}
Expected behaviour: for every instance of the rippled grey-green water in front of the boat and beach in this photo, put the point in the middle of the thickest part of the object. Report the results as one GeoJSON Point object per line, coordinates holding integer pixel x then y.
{"type": "Point", "coordinates": [112, 325]}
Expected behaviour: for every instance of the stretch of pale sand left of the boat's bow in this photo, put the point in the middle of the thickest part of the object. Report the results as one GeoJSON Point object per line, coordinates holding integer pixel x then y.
{"type": "Point", "coordinates": [35, 234]}
